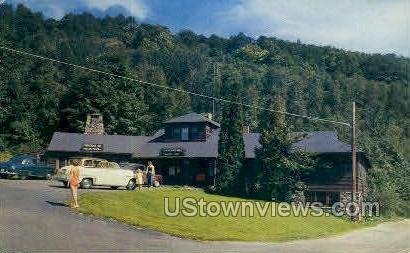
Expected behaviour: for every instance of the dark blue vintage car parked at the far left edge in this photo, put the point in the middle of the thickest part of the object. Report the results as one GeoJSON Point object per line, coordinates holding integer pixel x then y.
{"type": "Point", "coordinates": [23, 166]}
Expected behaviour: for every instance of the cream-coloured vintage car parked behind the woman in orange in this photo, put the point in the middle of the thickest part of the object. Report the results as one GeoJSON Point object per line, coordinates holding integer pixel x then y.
{"type": "Point", "coordinates": [98, 172]}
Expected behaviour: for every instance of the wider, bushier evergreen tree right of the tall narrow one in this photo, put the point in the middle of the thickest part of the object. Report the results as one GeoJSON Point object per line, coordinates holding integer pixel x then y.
{"type": "Point", "coordinates": [279, 170]}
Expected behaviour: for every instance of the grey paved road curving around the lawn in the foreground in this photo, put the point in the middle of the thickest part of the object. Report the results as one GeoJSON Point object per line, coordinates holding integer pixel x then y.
{"type": "Point", "coordinates": [33, 219]}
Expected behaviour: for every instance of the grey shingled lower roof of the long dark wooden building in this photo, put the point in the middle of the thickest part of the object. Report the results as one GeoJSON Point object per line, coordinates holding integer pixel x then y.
{"type": "Point", "coordinates": [141, 147]}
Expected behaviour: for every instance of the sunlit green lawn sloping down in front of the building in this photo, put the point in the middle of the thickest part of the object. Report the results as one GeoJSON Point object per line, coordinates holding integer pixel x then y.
{"type": "Point", "coordinates": [146, 209]}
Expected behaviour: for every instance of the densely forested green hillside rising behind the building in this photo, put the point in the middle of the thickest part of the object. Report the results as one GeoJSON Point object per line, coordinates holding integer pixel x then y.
{"type": "Point", "coordinates": [39, 97]}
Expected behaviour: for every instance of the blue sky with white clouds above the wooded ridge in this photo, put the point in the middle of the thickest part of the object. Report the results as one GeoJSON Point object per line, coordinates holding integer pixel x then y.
{"type": "Point", "coordinates": [371, 26]}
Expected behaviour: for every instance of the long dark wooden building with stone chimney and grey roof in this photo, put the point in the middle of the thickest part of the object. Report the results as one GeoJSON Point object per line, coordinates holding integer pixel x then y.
{"type": "Point", "coordinates": [185, 152]}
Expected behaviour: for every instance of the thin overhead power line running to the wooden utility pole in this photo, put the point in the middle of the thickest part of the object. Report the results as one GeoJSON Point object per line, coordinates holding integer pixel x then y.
{"type": "Point", "coordinates": [173, 89]}
